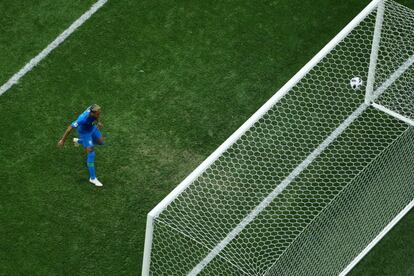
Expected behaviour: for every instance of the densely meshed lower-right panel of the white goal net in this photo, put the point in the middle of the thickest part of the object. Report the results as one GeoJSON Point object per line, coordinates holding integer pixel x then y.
{"type": "Point", "coordinates": [360, 211]}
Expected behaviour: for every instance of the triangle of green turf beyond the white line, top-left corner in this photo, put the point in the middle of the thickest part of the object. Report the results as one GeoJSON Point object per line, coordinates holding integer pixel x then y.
{"type": "Point", "coordinates": [26, 27]}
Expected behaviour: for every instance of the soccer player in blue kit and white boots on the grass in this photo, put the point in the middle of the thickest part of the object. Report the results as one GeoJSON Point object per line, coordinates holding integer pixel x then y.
{"type": "Point", "coordinates": [88, 126]}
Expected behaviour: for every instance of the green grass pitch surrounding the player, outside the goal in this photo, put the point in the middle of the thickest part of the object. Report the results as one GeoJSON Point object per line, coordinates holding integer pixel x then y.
{"type": "Point", "coordinates": [175, 79]}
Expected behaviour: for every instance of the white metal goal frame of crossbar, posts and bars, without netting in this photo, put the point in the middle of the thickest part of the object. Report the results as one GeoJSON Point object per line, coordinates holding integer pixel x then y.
{"type": "Point", "coordinates": [370, 96]}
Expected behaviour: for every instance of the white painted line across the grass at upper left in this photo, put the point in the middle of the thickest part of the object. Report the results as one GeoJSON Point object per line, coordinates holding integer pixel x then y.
{"type": "Point", "coordinates": [54, 44]}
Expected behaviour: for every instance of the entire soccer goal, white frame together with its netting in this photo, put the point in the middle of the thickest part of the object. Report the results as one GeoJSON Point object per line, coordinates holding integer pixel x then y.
{"type": "Point", "coordinates": [315, 177]}
